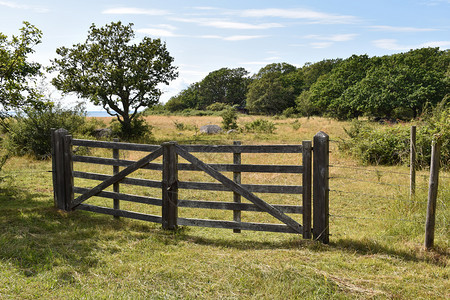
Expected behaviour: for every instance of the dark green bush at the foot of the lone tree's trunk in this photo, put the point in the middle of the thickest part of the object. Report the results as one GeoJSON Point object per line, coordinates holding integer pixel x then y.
{"type": "Point", "coordinates": [137, 131]}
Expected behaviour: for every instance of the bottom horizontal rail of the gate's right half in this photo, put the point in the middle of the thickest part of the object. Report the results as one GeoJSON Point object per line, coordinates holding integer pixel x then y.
{"type": "Point", "coordinates": [236, 225]}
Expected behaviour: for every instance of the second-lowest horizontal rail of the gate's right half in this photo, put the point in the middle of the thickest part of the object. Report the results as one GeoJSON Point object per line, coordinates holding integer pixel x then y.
{"type": "Point", "coordinates": [290, 209]}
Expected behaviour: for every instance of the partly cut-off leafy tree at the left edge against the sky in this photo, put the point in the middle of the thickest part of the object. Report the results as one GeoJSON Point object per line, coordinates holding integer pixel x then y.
{"type": "Point", "coordinates": [16, 72]}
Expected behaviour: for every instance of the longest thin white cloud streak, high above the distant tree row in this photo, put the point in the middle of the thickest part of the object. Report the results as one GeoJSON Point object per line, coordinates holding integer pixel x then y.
{"type": "Point", "coordinates": [305, 14]}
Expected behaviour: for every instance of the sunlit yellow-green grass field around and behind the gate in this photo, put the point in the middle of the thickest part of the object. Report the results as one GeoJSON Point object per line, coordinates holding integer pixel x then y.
{"type": "Point", "coordinates": [375, 250]}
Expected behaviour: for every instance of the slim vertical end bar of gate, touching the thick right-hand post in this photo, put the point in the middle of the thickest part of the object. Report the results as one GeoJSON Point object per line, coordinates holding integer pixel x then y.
{"type": "Point", "coordinates": [306, 183]}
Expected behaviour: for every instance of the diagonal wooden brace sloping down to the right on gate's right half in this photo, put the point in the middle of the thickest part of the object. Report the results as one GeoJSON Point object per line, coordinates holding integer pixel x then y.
{"type": "Point", "coordinates": [239, 189]}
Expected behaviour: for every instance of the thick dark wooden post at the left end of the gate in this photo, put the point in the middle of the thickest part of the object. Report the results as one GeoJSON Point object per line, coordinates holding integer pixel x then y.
{"type": "Point", "coordinates": [62, 167]}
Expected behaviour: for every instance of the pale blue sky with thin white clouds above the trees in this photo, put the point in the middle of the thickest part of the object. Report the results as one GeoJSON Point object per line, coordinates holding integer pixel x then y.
{"type": "Point", "coordinates": [204, 36]}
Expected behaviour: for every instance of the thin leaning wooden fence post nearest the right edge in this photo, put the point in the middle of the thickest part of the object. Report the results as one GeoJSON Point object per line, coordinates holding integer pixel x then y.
{"type": "Point", "coordinates": [432, 193]}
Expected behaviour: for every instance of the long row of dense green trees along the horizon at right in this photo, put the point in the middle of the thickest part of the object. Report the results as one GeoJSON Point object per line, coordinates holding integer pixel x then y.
{"type": "Point", "coordinates": [392, 86]}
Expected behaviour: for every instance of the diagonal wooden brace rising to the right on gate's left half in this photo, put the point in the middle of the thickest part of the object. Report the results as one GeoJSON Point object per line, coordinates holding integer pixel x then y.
{"type": "Point", "coordinates": [119, 176]}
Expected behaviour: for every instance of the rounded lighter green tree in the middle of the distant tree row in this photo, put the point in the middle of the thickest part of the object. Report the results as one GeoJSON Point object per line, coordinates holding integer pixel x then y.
{"type": "Point", "coordinates": [273, 89]}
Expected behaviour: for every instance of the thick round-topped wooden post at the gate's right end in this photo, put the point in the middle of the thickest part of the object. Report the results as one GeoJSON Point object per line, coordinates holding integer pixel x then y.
{"type": "Point", "coordinates": [321, 187]}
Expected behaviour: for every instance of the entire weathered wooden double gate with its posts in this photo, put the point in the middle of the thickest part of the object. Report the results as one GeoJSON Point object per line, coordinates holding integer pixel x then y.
{"type": "Point", "coordinates": [314, 210]}
